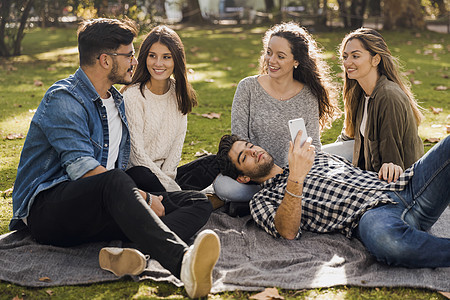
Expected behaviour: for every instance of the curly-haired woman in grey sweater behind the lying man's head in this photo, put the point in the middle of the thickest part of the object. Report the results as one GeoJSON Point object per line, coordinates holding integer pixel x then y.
{"type": "Point", "coordinates": [294, 82]}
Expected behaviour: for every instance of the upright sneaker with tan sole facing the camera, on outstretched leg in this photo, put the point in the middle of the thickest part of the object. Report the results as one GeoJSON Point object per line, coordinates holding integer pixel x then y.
{"type": "Point", "coordinates": [198, 263]}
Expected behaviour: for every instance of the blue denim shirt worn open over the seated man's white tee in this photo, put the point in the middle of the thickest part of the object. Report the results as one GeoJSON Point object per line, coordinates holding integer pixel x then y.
{"type": "Point", "coordinates": [68, 137]}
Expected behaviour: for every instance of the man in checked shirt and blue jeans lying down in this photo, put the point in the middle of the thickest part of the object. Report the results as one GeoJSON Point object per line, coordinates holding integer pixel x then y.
{"type": "Point", "coordinates": [321, 192]}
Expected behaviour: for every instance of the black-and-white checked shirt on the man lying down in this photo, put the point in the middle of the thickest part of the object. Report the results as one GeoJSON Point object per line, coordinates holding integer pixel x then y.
{"type": "Point", "coordinates": [335, 196]}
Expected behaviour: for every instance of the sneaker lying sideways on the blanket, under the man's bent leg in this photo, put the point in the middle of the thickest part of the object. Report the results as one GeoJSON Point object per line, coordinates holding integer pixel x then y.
{"type": "Point", "coordinates": [122, 261]}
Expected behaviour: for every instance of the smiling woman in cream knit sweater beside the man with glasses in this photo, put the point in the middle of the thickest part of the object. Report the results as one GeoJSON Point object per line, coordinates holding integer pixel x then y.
{"type": "Point", "coordinates": [157, 107]}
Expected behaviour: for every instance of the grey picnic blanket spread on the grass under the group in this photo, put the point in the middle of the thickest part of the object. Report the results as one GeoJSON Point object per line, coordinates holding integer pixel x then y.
{"type": "Point", "coordinates": [250, 260]}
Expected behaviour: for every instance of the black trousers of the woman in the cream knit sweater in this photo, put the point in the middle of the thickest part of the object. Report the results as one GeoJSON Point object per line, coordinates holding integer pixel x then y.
{"type": "Point", "coordinates": [196, 175]}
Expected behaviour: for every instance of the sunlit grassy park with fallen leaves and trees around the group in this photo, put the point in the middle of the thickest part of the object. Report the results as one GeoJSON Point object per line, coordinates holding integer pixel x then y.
{"type": "Point", "coordinates": [223, 43]}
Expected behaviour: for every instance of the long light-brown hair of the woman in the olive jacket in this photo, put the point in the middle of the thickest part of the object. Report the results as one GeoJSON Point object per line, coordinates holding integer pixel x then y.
{"type": "Point", "coordinates": [389, 66]}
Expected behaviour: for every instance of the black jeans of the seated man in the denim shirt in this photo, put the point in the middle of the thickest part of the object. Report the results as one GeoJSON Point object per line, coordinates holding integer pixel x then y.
{"type": "Point", "coordinates": [108, 206]}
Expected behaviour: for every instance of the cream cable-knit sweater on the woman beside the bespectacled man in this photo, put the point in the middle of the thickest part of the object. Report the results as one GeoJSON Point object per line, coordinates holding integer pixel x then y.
{"type": "Point", "coordinates": [157, 131]}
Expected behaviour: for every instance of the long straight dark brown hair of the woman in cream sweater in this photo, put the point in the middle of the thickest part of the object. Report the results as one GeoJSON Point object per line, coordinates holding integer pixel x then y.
{"type": "Point", "coordinates": [186, 96]}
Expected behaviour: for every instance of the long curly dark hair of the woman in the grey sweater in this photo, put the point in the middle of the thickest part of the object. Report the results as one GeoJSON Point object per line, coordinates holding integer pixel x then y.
{"type": "Point", "coordinates": [312, 70]}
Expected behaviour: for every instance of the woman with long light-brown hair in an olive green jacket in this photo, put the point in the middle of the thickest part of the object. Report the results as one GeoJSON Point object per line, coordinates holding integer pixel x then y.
{"type": "Point", "coordinates": [381, 113]}
